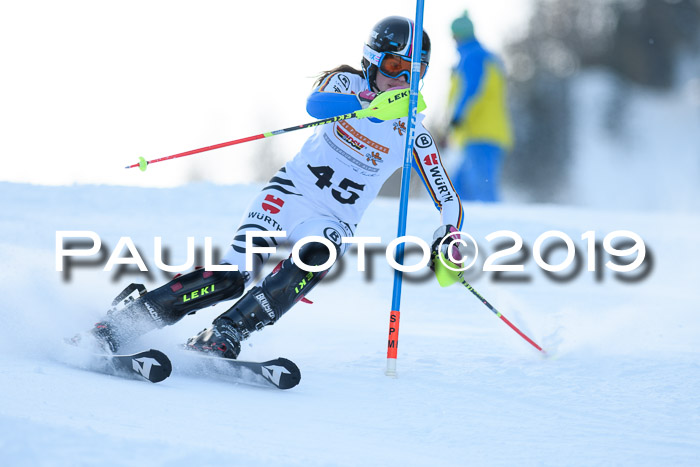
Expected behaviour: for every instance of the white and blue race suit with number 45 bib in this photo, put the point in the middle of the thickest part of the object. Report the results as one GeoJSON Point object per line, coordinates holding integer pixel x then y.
{"type": "Point", "coordinates": [326, 188]}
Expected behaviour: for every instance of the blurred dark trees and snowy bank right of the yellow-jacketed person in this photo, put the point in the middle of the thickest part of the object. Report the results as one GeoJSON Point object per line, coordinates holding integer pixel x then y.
{"type": "Point", "coordinates": [606, 104]}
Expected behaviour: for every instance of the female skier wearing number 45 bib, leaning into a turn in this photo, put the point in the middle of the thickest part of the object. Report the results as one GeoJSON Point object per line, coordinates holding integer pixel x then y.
{"type": "Point", "coordinates": [323, 192]}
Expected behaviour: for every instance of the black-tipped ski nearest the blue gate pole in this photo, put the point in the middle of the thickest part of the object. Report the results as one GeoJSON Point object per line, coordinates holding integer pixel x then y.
{"type": "Point", "coordinates": [279, 373]}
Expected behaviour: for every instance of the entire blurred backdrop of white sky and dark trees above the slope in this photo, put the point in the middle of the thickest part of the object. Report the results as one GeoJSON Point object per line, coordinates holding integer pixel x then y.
{"type": "Point", "coordinates": [605, 94]}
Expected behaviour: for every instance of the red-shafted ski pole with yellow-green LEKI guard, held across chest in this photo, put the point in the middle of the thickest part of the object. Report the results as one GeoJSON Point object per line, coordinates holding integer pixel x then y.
{"type": "Point", "coordinates": [386, 106]}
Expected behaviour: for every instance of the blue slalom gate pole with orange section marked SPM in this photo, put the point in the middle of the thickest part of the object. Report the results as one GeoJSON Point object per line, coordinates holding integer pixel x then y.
{"type": "Point", "coordinates": [405, 184]}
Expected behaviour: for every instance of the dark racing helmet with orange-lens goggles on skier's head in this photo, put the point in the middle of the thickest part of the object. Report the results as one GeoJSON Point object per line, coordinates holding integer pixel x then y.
{"type": "Point", "coordinates": [389, 49]}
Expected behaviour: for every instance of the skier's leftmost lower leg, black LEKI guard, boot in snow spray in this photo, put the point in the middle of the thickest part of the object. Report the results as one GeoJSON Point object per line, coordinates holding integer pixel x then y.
{"type": "Point", "coordinates": [164, 306]}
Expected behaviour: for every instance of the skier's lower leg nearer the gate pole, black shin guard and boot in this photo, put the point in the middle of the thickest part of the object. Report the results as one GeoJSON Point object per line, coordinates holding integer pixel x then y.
{"type": "Point", "coordinates": [262, 305]}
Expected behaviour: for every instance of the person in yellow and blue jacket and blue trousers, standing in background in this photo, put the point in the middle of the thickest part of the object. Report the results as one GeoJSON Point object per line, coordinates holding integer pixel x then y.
{"type": "Point", "coordinates": [479, 120]}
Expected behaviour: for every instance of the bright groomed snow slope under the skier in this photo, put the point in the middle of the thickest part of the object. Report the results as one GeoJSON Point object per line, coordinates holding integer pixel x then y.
{"type": "Point", "coordinates": [621, 387]}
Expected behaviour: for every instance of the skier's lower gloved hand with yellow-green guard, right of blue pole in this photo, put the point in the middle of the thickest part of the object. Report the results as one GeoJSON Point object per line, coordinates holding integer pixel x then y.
{"type": "Point", "coordinates": [448, 253]}
